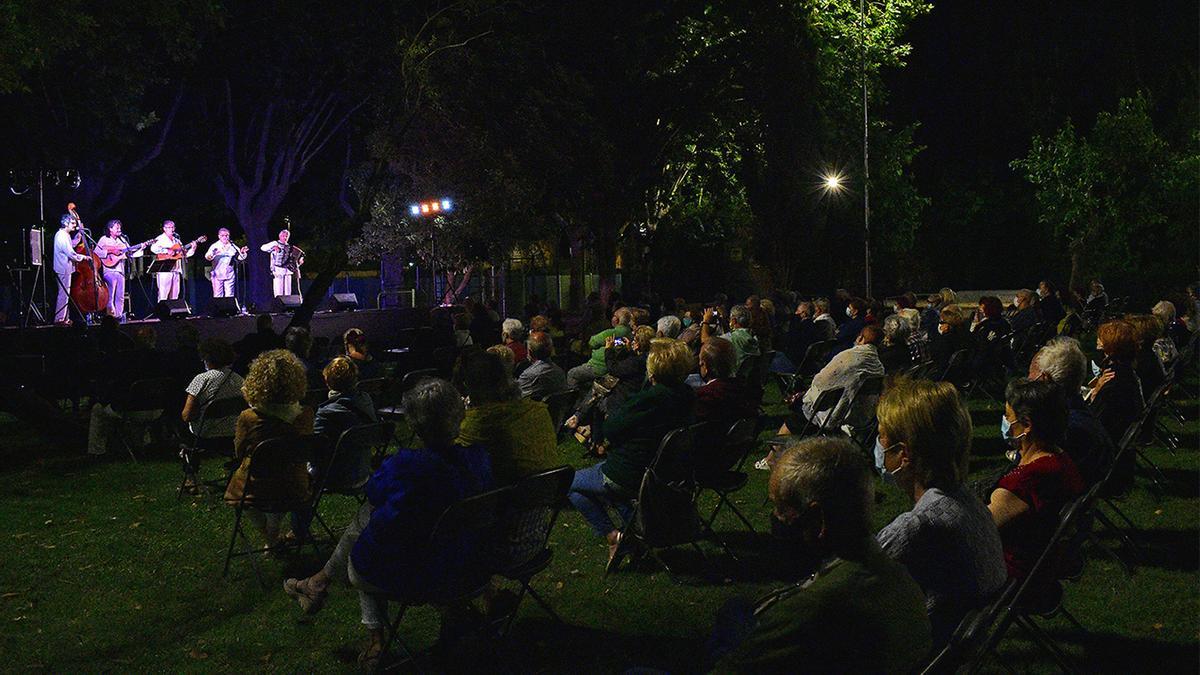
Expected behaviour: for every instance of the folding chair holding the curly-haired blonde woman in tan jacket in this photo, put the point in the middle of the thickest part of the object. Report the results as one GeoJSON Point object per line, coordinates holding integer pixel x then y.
{"type": "Point", "coordinates": [271, 459]}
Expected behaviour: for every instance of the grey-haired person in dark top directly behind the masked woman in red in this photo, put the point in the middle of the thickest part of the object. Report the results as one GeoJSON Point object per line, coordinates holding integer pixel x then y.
{"type": "Point", "coordinates": [1063, 362]}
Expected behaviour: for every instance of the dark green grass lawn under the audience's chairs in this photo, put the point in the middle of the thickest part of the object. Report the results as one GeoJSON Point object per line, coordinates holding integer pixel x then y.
{"type": "Point", "coordinates": [106, 571]}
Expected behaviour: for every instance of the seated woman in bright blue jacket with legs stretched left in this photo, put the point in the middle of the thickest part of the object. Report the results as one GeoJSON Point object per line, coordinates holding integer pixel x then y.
{"type": "Point", "coordinates": [385, 552]}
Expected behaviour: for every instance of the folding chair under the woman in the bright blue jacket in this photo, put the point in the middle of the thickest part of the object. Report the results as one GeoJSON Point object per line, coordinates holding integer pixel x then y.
{"type": "Point", "coordinates": [477, 517]}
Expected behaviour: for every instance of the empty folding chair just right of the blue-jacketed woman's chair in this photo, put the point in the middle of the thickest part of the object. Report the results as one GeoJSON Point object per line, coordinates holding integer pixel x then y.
{"type": "Point", "coordinates": [529, 499]}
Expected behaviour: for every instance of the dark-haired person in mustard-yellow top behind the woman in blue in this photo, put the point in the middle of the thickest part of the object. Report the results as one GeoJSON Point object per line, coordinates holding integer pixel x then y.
{"type": "Point", "coordinates": [518, 433]}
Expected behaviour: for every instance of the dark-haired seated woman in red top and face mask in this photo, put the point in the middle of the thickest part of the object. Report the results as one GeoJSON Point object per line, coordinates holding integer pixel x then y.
{"type": "Point", "coordinates": [1027, 501]}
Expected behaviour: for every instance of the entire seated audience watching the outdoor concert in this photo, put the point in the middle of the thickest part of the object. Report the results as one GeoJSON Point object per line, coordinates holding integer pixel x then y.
{"type": "Point", "coordinates": [871, 601]}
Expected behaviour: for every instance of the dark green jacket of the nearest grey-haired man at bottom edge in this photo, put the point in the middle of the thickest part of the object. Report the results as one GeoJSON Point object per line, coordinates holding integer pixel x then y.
{"type": "Point", "coordinates": [853, 617]}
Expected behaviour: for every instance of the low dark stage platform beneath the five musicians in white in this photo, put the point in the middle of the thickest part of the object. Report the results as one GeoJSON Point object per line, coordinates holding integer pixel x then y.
{"type": "Point", "coordinates": [383, 328]}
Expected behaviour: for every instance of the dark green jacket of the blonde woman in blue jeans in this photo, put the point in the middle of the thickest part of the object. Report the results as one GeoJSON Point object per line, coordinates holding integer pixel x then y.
{"type": "Point", "coordinates": [639, 426]}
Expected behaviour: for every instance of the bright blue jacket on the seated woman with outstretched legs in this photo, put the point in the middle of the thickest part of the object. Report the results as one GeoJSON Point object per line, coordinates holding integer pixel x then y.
{"type": "Point", "coordinates": [410, 493]}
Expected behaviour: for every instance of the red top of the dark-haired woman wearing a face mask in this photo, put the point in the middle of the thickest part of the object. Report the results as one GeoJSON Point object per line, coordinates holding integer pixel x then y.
{"type": "Point", "coordinates": [1047, 485]}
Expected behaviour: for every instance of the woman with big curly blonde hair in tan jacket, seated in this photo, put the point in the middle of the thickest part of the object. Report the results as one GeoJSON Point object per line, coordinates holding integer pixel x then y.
{"type": "Point", "coordinates": [273, 389]}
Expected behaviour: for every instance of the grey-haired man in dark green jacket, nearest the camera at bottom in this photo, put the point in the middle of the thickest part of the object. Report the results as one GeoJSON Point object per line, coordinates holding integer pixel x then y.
{"type": "Point", "coordinates": [857, 611]}
